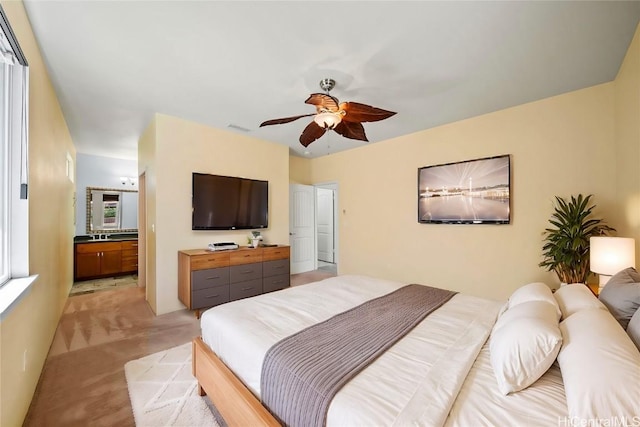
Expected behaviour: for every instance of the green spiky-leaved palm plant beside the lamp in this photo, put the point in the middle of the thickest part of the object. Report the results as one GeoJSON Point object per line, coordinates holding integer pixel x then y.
{"type": "Point", "coordinates": [566, 243]}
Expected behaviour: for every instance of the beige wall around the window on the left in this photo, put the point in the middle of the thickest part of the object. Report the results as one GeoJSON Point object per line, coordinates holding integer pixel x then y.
{"type": "Point", "coordinates": [31, 324]}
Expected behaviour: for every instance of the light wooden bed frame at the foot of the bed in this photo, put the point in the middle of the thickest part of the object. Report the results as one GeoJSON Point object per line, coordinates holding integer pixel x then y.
{"type": "Point", "coordinates": [235, 402]}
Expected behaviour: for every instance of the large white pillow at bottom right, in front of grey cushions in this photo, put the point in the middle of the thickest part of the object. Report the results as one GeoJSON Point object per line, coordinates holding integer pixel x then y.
{"type": "Point", "coordinates": [600, 369]}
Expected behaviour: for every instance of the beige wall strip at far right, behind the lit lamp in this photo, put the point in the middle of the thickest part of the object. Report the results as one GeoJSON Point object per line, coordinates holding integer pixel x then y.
{"type": "Point", "coordinates": [627, 145]}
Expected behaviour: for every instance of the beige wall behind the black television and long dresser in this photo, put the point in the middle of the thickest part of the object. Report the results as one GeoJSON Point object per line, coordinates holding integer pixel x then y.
{"type": "Point", "coordinates": [183, 147]}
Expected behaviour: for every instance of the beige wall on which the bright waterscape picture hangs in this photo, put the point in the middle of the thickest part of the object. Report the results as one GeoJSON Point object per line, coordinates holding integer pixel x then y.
{"type": "Point", "coordinates": [558, 146]}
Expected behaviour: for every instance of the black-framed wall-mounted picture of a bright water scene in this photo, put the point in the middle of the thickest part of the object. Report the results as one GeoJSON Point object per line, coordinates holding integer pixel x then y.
{"type": "Point", "coordinates": [468, 192]}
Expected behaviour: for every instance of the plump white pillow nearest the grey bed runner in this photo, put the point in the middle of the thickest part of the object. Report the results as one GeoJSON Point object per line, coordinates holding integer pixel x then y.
{"type": "Point", "coordinates": [524, 343]}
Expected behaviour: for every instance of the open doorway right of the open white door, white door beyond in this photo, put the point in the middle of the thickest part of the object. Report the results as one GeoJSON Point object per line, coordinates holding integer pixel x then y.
{"type": "Point", "coordinates": [327, 226]}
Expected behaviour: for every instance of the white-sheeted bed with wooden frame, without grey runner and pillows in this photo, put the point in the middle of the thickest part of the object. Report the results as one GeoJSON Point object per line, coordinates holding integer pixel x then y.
{"type": "Point", "coordinates": [439, 374]}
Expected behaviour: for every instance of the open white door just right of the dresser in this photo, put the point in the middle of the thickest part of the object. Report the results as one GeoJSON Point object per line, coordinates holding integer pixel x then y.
{"type": "Point", "coordinates": [302, 228]}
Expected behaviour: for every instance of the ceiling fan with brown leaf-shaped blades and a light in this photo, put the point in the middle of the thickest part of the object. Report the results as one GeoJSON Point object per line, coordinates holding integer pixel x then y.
{"type": "Point", "coordinates": [345, 118]}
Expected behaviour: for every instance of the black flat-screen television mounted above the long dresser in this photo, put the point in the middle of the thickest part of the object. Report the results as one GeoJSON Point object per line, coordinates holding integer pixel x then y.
{"type": "Point", "coordinates": [229, 203]}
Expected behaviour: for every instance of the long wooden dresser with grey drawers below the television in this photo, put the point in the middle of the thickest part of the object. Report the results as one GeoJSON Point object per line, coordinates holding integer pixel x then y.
{"type": "Point", "coordinates": [207, 279]}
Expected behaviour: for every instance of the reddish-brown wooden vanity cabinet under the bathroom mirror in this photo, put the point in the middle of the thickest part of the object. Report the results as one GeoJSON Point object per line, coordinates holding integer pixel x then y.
{"type": "Point", "coordinates": [104, 258]}
